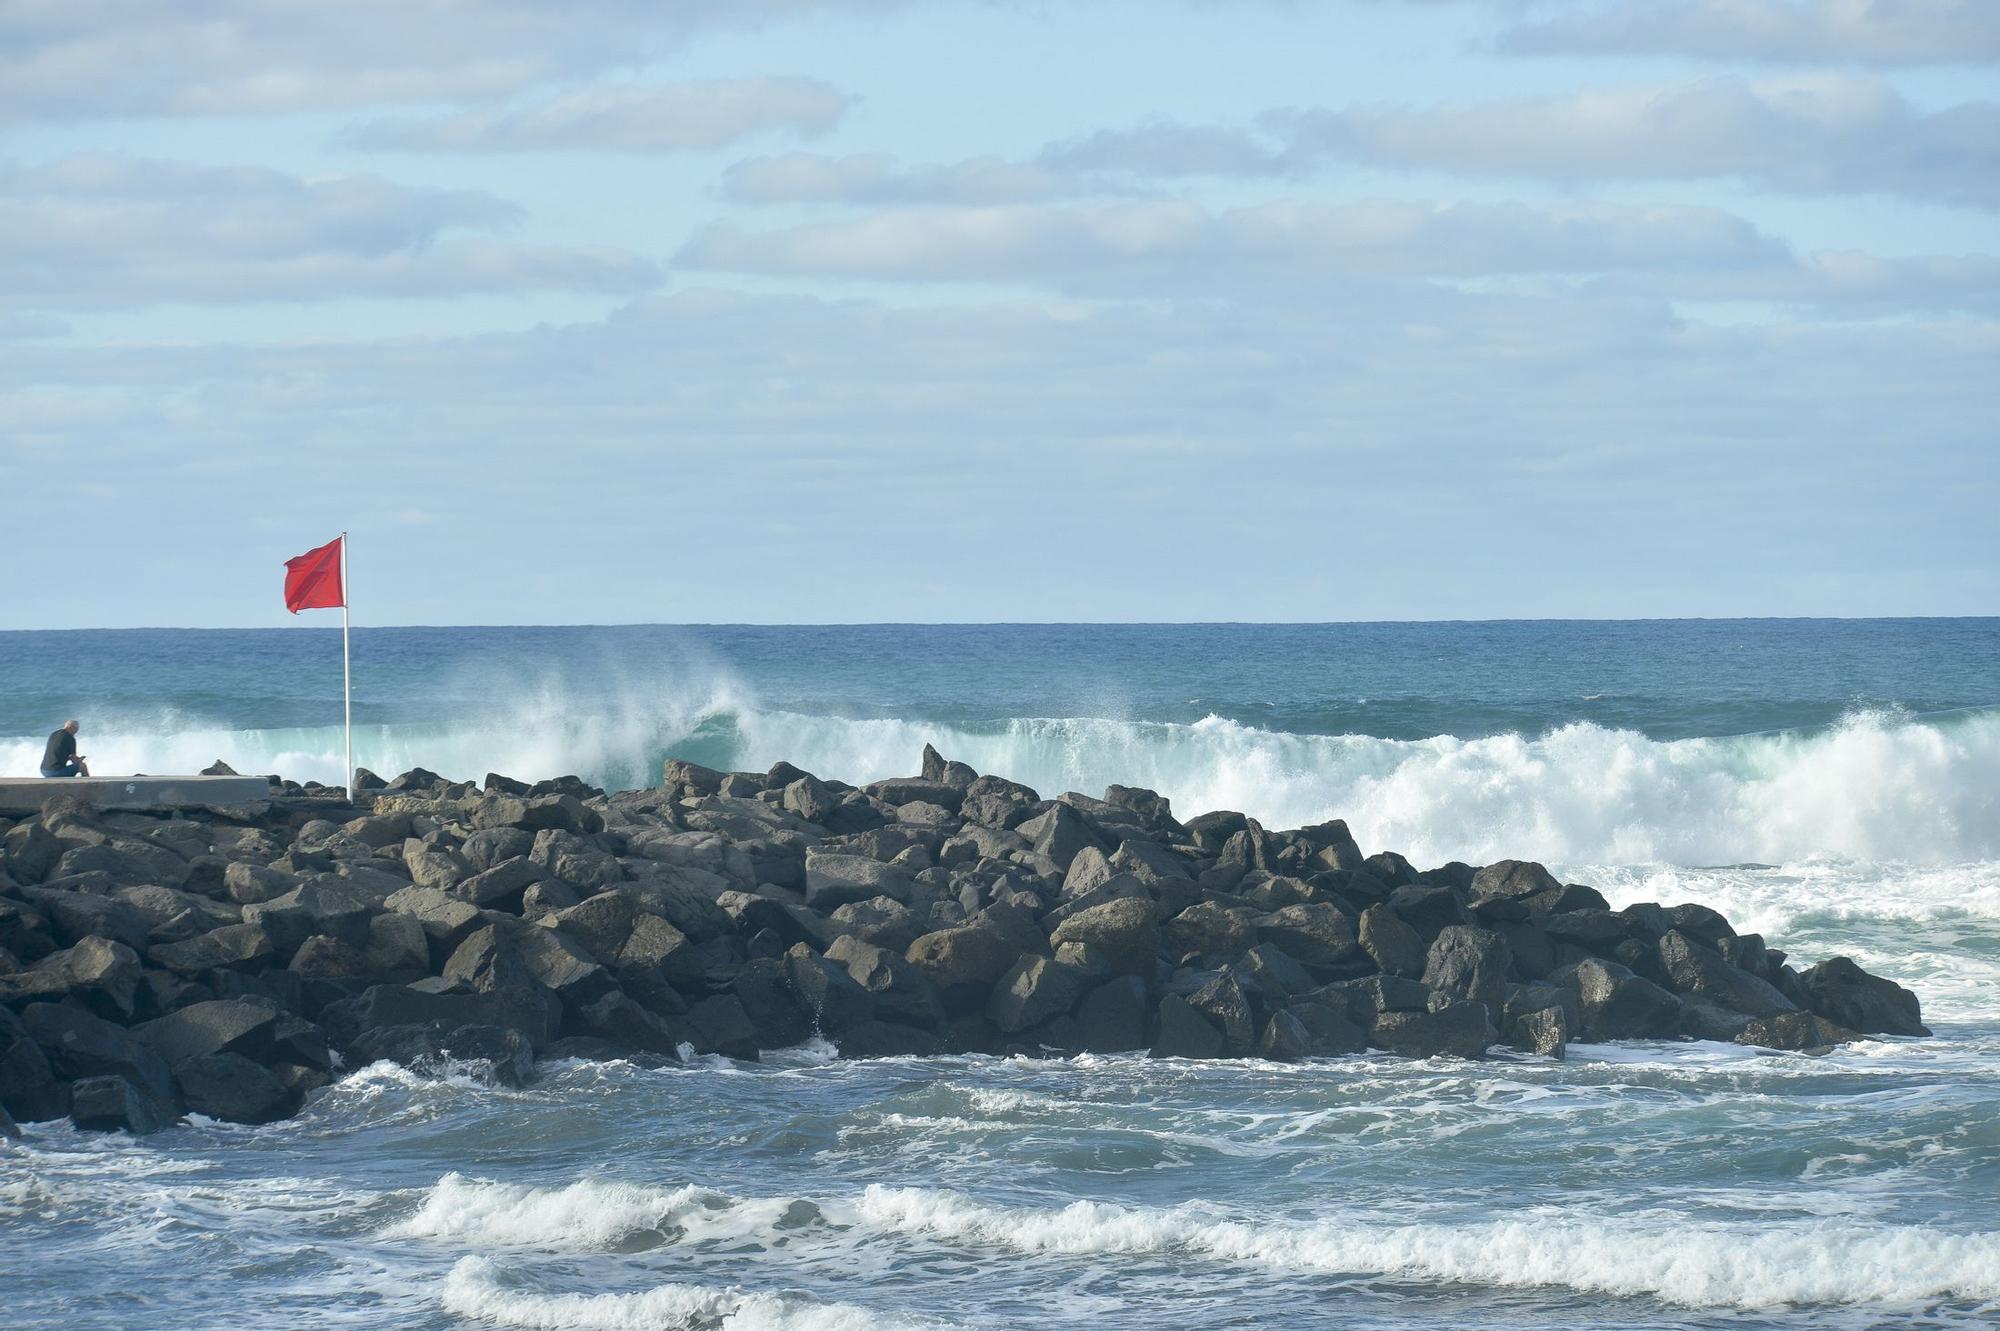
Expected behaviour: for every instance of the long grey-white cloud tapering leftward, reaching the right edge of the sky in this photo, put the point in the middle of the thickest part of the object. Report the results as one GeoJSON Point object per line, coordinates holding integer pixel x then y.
{"type": "Point", "coordinates": [1807, 135]}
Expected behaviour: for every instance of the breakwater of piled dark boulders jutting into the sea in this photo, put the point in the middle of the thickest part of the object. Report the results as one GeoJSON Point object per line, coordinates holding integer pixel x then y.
{"type": "Point", "coordinates": [227, 962]}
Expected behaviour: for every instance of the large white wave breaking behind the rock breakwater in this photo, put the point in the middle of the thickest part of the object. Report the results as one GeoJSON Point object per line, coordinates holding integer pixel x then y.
{"type": "Point", "coordinates": [1879, 786]}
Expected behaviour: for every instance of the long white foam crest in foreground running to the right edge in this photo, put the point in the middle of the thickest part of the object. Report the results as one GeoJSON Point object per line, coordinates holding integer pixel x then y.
{"type": "Point", "coordinates": [1689, 1264]}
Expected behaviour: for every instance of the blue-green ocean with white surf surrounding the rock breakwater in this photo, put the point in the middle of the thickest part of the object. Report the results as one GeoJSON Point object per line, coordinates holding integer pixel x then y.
{"type": "Point", "coordinates": [1831, 784]}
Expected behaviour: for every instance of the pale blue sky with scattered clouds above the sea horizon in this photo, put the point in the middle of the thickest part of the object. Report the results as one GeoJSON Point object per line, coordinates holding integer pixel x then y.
{"type": "Point", "coordinates": [1001, 311]}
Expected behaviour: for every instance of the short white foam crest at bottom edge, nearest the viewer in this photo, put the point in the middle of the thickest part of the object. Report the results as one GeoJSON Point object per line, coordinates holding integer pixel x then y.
{"type": "Point", "coordinates": [479, 1288]}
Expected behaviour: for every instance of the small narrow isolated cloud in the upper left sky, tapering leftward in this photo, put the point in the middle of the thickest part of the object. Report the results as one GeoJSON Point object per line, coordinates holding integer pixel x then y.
{"type": "Point", "coordinates": [631, 119]}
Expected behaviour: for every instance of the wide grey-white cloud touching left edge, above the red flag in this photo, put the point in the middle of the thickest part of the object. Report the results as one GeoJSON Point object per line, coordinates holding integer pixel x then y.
{"type": "Point", "coordinates": [111, 231]}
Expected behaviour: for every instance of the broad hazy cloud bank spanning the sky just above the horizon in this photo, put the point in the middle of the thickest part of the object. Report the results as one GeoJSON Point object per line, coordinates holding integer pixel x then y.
{"type": "Point", "coordinates": [1109, 461]}
